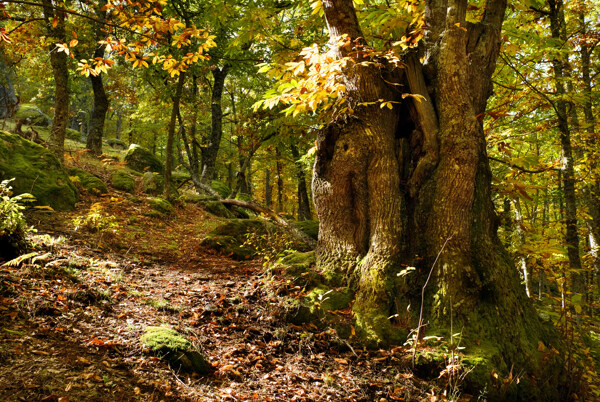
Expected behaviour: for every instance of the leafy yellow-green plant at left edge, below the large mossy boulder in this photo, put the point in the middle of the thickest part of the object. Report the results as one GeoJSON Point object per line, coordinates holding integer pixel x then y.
{"type": "Point", "coordinates": [13, 227]}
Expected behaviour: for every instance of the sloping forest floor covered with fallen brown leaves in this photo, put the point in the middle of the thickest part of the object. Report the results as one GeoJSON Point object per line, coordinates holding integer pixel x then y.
{"type": "Point", "coordinates": [71, 317]}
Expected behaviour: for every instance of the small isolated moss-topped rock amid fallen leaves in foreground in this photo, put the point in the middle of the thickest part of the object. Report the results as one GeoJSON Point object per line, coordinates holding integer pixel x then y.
{"type": "Point", "coordinates": [169, 345]}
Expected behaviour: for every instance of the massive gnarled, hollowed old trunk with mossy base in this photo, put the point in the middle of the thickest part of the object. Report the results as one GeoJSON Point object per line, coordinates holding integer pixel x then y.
{"type": "Point", "coordinates": [389, 185]}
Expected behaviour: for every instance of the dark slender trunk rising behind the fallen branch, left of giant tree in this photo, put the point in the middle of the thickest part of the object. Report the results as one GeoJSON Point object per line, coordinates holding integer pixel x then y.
{"type": "Point", "coordinates": [211, 150]}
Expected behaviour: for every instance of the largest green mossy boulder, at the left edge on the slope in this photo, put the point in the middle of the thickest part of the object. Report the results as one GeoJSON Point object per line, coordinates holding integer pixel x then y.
{"type": "Point", "coordinates": [36, 171]}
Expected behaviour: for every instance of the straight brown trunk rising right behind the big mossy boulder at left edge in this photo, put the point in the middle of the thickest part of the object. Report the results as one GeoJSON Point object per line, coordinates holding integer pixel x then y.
{"type": "Point", "coordinates": [60, 71]}
